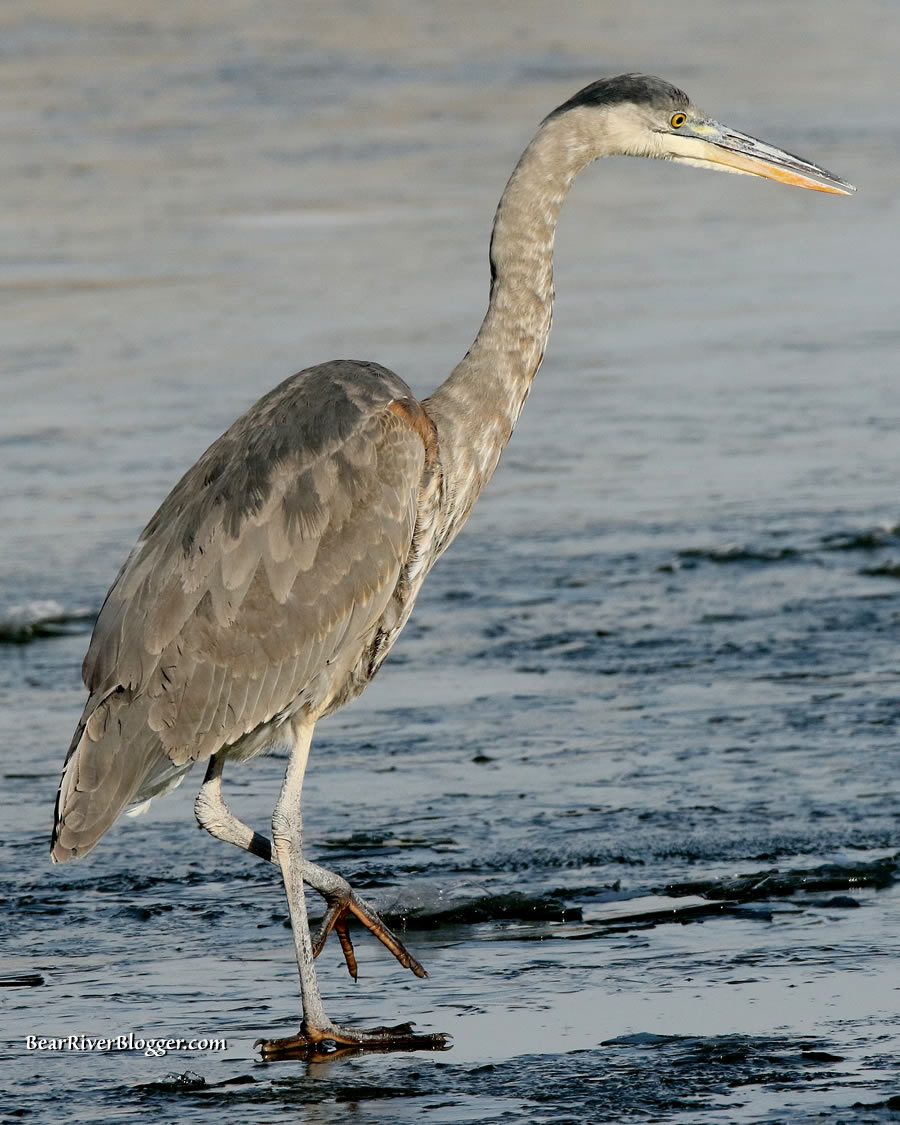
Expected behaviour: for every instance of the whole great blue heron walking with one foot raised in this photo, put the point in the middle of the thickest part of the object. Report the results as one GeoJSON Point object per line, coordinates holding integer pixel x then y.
{"type": "Point", "coordinates": [273, 582]}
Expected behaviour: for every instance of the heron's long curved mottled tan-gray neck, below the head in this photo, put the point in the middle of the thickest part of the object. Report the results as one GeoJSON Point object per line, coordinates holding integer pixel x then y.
{"type": "Point", "coordinates": [476, 409]}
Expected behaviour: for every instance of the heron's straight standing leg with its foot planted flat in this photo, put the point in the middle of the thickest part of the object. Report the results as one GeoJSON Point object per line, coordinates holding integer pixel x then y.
{"type": "Point", "coordinates": [287, 844]}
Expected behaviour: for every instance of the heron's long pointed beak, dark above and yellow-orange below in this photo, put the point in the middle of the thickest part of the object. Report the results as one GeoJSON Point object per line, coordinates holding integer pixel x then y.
{"type": "Point", "coordinates": [708, 143]}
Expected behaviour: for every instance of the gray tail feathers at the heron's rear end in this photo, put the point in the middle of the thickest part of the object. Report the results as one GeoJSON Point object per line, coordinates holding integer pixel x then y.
{"type": "Point", "coordinates": [113, 755]}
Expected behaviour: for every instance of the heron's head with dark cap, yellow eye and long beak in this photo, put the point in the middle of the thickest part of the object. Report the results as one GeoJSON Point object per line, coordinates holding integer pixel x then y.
{"type": "Point", "coordinates": [644, 116]}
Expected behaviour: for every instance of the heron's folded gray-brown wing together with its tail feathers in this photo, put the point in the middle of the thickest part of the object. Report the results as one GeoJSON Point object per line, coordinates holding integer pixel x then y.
{"type": "Point", "coordinates": [251, 592]}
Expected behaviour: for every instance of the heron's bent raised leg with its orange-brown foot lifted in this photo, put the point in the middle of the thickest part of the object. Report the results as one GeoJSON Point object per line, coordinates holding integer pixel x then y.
{"type": "Point", "coordinates": [343, 902]}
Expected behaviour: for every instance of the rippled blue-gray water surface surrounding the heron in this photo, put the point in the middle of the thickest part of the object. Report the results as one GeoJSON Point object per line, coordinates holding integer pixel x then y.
{"type": "Point", "coordinates": [662, 655]}
